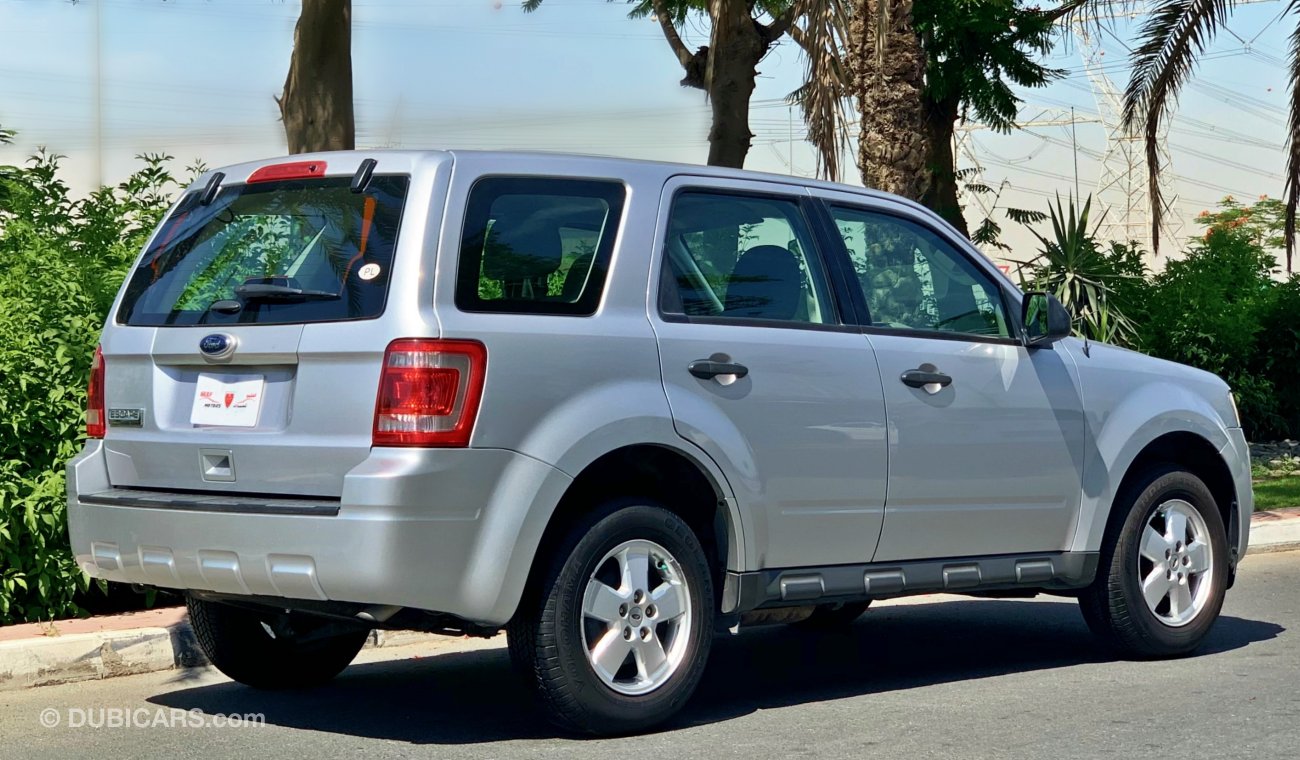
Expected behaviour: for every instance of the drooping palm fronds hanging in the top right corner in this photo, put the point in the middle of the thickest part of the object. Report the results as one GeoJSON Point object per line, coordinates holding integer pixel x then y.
{"type": "Point", "coordinates": [1171, 41]}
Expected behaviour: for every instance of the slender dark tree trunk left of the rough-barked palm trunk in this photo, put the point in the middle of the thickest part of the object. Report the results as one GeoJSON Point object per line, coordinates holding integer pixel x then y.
{"type": "Point", "coordinates": [735, 47]}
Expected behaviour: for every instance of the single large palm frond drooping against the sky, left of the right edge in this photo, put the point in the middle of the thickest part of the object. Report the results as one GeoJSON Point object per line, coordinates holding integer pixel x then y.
{"type": "Point", "coordinates": [1173, 37]}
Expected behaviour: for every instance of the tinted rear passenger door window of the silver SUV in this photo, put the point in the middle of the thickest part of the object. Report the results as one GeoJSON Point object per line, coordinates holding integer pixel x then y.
{"type": "Point", "coordinates": [743, 258]}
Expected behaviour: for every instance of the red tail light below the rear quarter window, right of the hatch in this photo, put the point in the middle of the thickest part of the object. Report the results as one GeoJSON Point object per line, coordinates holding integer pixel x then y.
{"type": "Point", "coordinates": [430, 393]}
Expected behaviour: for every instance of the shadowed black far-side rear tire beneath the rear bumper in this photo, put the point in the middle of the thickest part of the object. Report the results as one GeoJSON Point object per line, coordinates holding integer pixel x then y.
{"type": "Point", "coordinates": [237, 642]}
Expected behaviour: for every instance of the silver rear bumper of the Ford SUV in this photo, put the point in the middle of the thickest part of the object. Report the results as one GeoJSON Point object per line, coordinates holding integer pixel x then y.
{"type": "Point", "coordinates": [447, 531]}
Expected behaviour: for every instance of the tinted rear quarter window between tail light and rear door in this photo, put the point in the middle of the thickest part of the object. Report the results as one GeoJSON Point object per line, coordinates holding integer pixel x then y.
{"type": "Point", "coordinates": [538, 246]}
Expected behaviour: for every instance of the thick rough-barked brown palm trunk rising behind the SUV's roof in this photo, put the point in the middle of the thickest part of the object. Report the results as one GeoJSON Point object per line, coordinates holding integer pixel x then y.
{"type": "Point", "coordinates": [889, 70]}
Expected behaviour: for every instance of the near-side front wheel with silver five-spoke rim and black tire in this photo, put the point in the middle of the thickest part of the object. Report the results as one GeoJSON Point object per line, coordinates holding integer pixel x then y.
{"type": "Point", "coordinates": [1164, 571]}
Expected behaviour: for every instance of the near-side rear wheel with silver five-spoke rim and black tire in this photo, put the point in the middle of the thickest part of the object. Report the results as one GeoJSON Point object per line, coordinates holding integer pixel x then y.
{"type": "Point", "coordinates": [618, 633]}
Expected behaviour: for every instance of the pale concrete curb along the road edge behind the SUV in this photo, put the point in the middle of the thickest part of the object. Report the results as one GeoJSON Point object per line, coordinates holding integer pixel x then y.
{"type": "Point", "coordinates": [44, 661]}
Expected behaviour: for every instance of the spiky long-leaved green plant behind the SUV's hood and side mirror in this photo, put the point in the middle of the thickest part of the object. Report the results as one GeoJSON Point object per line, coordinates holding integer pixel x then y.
{"type": "Point", "coordinates": [1082, 275]}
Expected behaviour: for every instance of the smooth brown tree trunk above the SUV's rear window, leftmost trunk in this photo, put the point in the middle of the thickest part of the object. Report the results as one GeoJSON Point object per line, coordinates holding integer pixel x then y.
{"type": "Point", "coordinates": [318, 102]}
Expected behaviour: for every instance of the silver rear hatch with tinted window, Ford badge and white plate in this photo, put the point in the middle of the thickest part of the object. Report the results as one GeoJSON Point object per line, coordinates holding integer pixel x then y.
{"type": "Point", "coordinates": [246, 350]}
